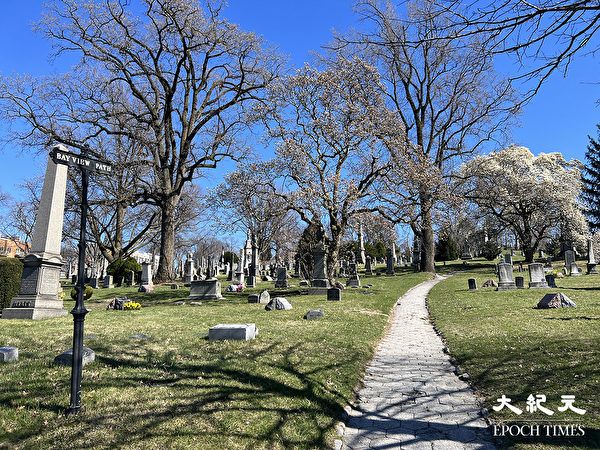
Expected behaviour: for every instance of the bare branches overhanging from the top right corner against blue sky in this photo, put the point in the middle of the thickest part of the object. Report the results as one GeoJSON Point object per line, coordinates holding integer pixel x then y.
{"type": "Point", "coordinates": [544, 35]}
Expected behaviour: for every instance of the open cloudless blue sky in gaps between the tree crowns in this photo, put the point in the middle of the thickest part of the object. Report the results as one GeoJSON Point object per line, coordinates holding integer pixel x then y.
{"type": "Point", "coordinates": [560, 118]}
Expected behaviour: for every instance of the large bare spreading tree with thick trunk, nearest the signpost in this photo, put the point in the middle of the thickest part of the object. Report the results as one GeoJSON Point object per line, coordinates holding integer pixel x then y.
{"type": "Point", "coordinates": [176, 77]}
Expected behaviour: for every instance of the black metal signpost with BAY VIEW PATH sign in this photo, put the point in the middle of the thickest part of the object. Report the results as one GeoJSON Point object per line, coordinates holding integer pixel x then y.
{"type": "Point", "coordinates": [85, 165]}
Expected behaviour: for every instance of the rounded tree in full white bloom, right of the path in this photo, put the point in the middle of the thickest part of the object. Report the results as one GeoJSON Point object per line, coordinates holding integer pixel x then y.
{"type": "Point", "coordinates": [533, 196]}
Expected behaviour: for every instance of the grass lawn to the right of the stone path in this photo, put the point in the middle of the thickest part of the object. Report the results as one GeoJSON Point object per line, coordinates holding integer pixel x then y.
{"type": "Point", "coordinates": [509, 347]}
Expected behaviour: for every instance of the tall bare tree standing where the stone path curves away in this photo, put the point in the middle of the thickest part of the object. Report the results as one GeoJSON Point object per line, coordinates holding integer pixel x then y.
{"type": "Point", "coordinates": [447, 97]}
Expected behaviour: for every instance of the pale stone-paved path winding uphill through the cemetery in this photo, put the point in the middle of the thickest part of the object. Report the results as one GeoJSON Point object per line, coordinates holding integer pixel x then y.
{"type": "Point", "coordinates": [411, 397]}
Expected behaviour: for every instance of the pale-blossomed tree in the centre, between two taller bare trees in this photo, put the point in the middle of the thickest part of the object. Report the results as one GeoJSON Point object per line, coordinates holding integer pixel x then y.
{"type": "Point", "coordinates": [328, 126]}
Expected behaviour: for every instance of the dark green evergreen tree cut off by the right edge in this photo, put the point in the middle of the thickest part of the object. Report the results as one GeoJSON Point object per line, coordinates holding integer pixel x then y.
{"type": "Point", "coordinates": [591, 182]}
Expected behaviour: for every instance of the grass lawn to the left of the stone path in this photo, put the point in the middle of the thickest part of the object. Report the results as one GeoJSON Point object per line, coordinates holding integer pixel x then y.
{"type": "Point", "coordinates": [287, 388]}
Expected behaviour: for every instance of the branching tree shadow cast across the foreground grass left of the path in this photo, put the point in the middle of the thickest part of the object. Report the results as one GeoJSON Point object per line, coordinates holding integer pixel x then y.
{"type": "Point", "coordinates": [206, 393]}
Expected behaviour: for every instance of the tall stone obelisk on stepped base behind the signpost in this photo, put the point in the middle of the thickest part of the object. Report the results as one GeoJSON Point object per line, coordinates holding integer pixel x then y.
{"type": "Point", "coordinates": [38, 294]}
